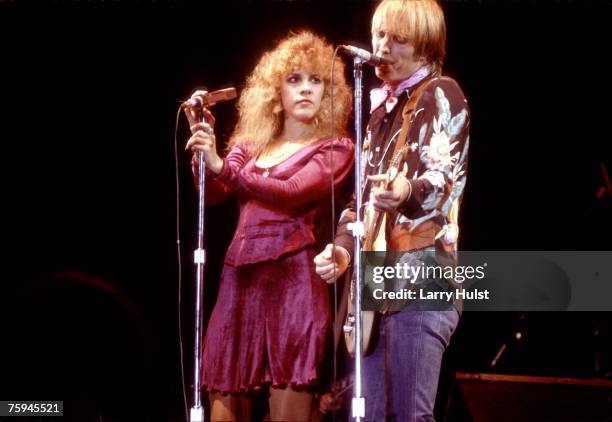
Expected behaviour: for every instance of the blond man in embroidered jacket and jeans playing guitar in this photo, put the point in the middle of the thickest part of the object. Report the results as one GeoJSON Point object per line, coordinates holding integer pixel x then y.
{"type": "Point", "coordinates": [421, 205]}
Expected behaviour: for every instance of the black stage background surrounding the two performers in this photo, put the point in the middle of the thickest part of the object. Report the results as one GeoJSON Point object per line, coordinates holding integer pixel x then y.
{"type": "Point", "coordinates": [89, 91]}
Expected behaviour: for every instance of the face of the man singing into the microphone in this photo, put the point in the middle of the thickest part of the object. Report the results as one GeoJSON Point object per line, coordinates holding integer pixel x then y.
{"type": "Point", "coordinates": [400, 52]}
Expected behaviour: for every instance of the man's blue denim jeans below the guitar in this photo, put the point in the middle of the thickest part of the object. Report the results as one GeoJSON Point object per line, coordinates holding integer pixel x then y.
{"type": "Point", "coordinates": [401, 375]}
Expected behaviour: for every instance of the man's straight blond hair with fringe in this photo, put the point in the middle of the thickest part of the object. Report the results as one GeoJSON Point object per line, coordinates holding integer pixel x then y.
{"type": "Point", "coordinates": [421, 22]}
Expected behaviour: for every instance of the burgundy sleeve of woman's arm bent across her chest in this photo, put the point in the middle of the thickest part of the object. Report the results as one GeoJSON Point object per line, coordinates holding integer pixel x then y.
{"type": "Point", "coordinates": [310, 183]}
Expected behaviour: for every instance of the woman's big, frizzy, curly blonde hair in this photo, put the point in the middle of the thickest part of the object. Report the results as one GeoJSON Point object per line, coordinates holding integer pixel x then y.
{"type": "Point", "coordinates": [260, 110]}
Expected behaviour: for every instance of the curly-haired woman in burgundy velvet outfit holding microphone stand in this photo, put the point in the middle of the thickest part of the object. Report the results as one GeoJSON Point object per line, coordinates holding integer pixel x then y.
{"type": "Point", "coordinates": [270, 324]}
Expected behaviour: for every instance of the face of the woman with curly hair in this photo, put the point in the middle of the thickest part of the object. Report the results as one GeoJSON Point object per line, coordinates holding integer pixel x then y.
{"type": "Point", "coordinates": [301, 94]}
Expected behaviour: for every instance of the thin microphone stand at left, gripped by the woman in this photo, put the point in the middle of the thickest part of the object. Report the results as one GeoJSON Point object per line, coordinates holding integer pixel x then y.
{"type": "Point", "coordinates": [199, 258]}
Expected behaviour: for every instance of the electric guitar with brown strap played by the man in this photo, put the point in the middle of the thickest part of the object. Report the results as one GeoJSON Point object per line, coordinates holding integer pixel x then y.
{"type": "Point", "coordinates": [374, 240]}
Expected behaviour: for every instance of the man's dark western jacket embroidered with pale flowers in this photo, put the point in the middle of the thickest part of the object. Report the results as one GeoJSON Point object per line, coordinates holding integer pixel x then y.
{"type": "Point", "coordinates": [438, 140]}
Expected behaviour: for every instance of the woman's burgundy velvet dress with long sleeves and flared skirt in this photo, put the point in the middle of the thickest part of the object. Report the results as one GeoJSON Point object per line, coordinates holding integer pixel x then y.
{"type": "Point", "coordinates": [271, 320]}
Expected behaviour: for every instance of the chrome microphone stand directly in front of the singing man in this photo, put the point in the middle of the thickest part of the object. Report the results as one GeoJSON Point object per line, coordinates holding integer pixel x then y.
{"type": "Point", "coordinates": [358, 402]}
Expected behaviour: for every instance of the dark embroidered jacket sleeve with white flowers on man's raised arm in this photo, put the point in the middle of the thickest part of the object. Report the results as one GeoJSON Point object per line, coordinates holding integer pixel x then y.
{"type": "Point", "coordinates": [442, 132]}
